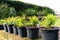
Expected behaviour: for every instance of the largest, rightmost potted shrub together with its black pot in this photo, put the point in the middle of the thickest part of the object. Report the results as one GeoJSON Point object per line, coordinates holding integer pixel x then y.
{"type": "Point", "coordinates": [49, 32]}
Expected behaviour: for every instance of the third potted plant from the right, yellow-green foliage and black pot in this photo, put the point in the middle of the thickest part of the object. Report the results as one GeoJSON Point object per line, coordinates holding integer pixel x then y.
{"type": "Point", "coordinates": [21, 28]}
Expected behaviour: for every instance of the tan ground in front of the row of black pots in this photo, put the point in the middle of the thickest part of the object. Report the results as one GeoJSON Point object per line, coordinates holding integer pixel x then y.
{"type": "Point", "coordinates": [6, 36]}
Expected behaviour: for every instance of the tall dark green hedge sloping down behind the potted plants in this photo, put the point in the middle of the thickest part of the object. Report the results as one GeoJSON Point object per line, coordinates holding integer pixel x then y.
{"type": "Point", "coordinates": [15, 8]}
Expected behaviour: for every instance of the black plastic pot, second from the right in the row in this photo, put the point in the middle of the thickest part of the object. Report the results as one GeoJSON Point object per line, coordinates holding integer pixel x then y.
{"type": "Point", "coordinates": [32, 33]}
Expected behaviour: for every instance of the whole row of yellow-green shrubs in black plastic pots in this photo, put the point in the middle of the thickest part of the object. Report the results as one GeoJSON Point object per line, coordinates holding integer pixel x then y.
{"type": "Point", "coordinates": [29, 28]}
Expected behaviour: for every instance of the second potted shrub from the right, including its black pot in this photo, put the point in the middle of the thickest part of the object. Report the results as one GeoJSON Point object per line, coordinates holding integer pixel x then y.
{"type": "Point", "coordinates": [32, 29]}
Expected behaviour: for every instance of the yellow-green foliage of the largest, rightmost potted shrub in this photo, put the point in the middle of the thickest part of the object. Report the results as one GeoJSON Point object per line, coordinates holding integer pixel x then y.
{"type": "Point", "coordinates": [48, 21]}
